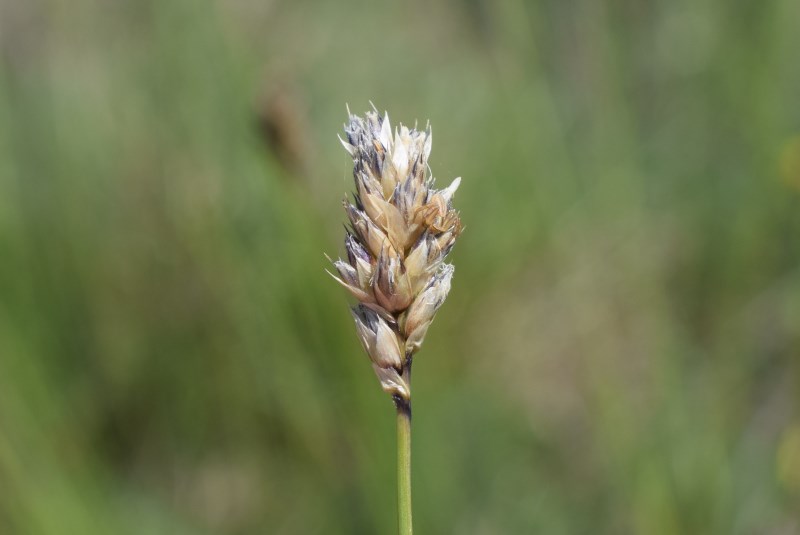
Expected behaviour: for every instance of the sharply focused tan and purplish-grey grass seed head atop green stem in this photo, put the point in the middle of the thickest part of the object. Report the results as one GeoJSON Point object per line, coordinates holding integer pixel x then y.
{"type": "Point", "coordinates": [400, 232]}
